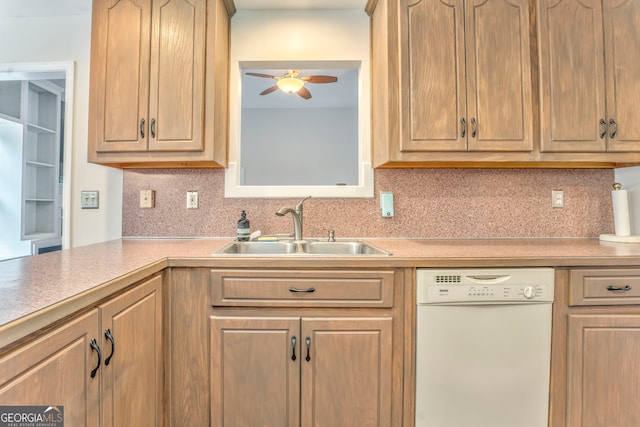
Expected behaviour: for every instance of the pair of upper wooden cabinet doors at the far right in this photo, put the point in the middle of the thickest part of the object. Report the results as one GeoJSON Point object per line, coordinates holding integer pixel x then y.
{"type": "Point", "coordinates": [589, 75]}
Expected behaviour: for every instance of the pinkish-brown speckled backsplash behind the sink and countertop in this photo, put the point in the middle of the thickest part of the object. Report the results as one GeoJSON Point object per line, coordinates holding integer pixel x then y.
{"type": "Point", "coordinates": [429, 203]}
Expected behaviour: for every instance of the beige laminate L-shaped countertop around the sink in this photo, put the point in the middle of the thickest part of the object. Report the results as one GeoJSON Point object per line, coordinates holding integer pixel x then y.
{"type": "Point", "coordinates": [37, 291]}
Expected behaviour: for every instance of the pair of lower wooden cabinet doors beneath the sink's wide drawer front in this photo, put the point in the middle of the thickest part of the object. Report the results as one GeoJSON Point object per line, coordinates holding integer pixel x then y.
{"type": "Point", "coordinates": [290, 371]}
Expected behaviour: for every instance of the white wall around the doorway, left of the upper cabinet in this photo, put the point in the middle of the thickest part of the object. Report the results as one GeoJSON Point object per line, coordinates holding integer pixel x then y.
{"type": "Point", "coordinates": [68, 38]}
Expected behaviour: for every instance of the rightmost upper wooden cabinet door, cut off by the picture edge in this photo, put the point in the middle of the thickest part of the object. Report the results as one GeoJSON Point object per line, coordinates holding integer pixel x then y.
{"type": "Point", "coordinates": [622, 39]}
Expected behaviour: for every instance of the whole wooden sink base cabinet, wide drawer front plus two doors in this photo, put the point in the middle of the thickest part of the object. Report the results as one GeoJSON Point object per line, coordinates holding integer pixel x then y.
{"type": "Point", "coordinates": [326, 351]}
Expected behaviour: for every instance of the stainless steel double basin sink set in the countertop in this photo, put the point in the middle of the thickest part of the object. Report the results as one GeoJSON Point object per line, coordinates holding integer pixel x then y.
{"type": "Point", "coordinates": [303, 247]}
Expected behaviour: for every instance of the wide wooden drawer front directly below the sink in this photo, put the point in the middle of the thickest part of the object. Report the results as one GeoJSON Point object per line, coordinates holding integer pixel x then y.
{"type": "Point", "coordinates": [304, 288]}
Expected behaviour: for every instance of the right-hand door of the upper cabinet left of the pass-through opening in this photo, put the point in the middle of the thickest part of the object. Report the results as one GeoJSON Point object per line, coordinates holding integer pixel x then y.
{"type": "Point", "coordinates": [176, 106]}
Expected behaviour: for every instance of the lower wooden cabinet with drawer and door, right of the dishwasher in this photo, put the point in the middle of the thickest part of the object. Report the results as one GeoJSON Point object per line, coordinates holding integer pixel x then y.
{"type": "Point", "coordinates": [596, 341]}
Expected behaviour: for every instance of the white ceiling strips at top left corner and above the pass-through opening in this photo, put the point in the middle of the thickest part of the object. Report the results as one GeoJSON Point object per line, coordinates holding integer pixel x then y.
{"type": "Point", "coordinates": [37, 8]}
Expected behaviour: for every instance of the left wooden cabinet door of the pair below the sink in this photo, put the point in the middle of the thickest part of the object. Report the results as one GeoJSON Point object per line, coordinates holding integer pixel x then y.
{"type": "Point", "coordinates": [255, 372]}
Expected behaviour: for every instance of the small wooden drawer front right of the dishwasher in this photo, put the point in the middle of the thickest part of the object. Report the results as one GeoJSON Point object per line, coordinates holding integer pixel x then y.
{"type": "Point", "coordinates": [604, 287]}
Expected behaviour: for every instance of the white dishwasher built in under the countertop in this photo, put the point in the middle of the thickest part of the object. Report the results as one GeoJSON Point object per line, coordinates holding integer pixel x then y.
{"type": "Point", "coordinates": [483, 347]}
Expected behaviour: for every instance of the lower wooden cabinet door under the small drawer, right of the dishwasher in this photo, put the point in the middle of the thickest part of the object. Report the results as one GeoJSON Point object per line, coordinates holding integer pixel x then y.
{"type": "Point", "coordinates": [603, 376]}
